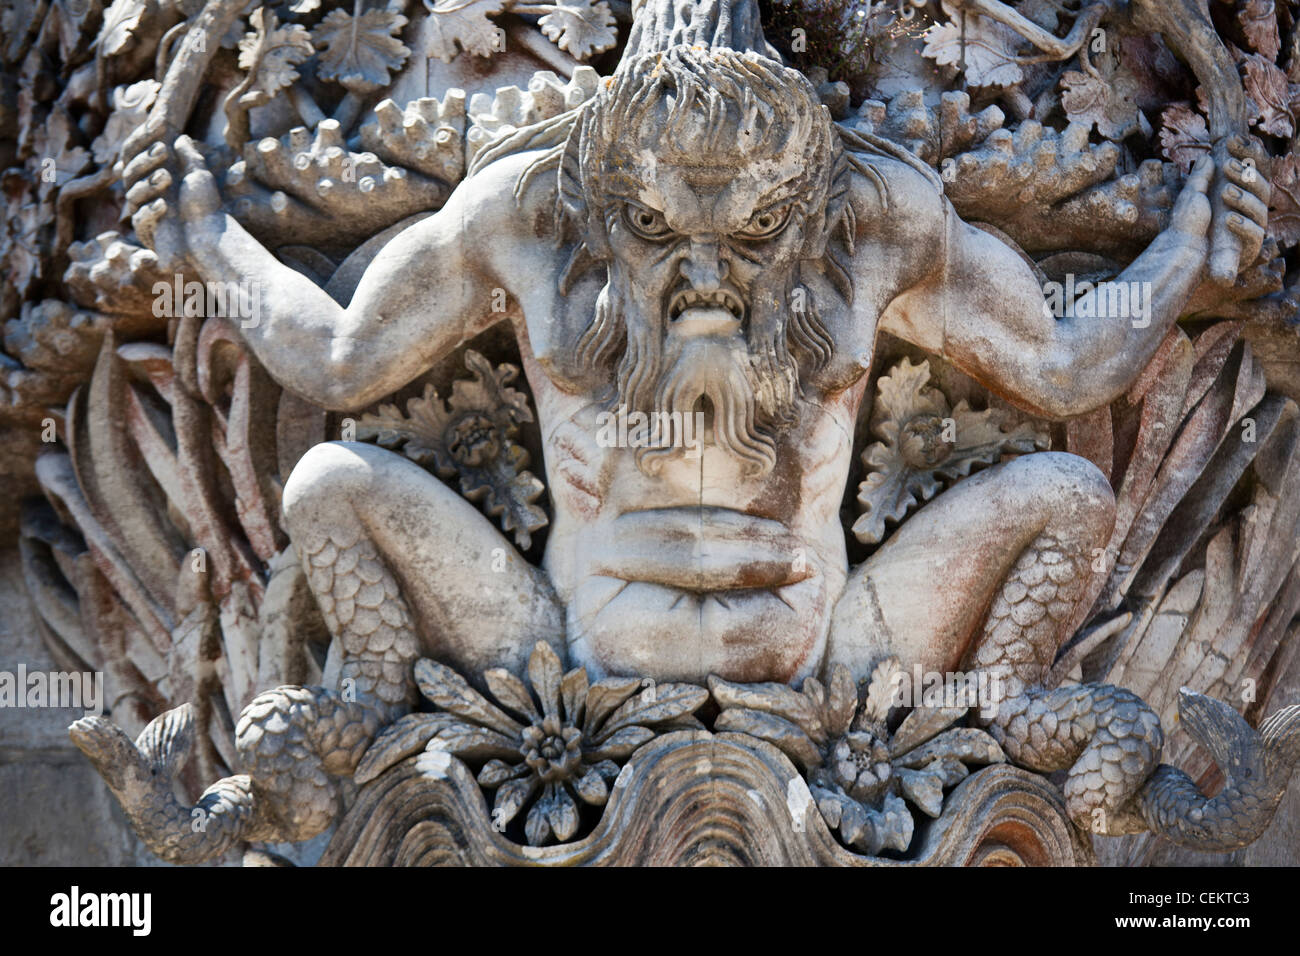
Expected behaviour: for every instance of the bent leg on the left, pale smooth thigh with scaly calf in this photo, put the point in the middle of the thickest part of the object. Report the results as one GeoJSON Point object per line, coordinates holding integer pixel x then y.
{"type": "Point", "coordinates": [395, 556]}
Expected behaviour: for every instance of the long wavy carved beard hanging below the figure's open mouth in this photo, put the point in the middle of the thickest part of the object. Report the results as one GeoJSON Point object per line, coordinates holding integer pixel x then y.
{"type": "Point", "coordinates": [752, 384]}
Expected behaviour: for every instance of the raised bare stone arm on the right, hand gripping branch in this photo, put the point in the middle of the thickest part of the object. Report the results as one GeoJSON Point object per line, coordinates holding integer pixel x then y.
{"type": "Point", "coordinates": [986, 312]}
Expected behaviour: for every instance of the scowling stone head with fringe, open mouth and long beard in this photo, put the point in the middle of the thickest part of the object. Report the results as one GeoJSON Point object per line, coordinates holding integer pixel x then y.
{"type": "Point", "coordinates": [707, 178]}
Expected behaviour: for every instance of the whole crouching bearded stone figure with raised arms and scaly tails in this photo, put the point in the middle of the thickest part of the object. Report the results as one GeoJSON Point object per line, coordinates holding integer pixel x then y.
{"type": "Point", "coordinates": [700, 237]}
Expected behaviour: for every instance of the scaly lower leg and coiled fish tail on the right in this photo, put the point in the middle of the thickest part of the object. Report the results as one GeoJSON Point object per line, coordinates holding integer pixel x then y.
{"type": "Point", "coordinates": [1108, 738]}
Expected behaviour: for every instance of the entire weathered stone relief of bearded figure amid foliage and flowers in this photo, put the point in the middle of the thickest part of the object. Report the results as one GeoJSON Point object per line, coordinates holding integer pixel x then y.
{"type": "Point", "coordinates": [694, 239]}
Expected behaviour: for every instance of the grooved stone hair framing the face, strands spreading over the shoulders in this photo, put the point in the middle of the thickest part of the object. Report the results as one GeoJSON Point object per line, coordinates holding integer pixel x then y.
{"type": "Point", "coordinates": [709, 93]}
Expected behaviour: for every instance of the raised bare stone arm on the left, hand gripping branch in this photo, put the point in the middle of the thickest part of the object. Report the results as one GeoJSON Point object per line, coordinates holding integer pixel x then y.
{"type": "Point", "coordinates": [427, 291]}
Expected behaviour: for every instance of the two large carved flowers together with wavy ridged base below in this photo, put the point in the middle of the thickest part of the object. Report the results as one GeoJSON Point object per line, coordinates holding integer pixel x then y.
{"type": "Point", "coordinates": [621, 773]}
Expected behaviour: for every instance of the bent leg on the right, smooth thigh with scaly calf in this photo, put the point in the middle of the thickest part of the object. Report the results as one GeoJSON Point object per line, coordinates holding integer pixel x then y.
{"type": "Point", "coordinates": [1032, 524]}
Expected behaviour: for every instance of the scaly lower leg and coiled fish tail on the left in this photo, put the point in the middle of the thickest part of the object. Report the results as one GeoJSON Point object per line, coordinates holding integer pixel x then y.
{"type": "Point", "coordinates": [293, 742]}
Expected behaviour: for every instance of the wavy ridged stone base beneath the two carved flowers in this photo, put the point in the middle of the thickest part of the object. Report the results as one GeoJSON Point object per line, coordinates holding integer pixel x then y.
{"type": "Point", "coordinates": [694, 798]}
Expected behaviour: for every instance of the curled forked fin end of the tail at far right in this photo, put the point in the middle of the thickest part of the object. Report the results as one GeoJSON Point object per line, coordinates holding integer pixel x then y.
{"type": "Point", "coordinates": [1256, 765]}
